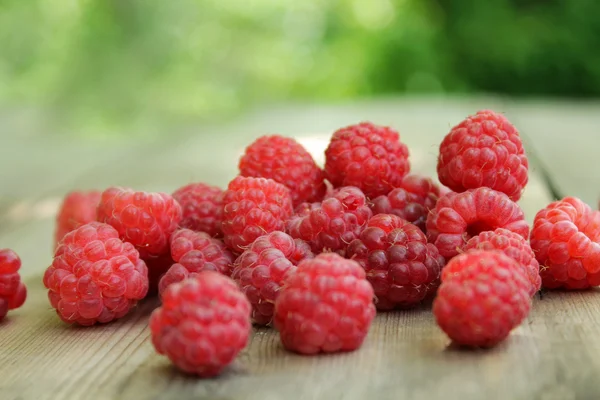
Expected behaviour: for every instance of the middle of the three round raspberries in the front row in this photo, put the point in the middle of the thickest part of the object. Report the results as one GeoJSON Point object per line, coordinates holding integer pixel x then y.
{"type": "Point", "coordinates": [326, 306]}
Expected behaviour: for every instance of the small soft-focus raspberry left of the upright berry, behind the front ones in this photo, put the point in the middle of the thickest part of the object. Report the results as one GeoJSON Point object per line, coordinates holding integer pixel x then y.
{"type": "Point", "coordinates": [202, 208]}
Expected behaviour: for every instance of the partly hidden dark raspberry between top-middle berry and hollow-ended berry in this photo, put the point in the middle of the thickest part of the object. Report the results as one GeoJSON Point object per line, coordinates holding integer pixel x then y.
{"type": "Point", "coordinates": [412, 201]}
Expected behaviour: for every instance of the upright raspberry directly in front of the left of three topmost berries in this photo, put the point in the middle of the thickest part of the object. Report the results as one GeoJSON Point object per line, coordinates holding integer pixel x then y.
{"type": "Point", "coordinates": [252, 208]}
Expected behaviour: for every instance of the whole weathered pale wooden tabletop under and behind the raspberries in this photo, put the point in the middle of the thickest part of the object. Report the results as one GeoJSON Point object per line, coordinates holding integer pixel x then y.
{"type": "Point", "coordinates": [554, 354]}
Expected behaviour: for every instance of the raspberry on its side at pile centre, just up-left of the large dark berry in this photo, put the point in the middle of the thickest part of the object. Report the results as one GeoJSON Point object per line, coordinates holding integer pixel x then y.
{"type": "Point", "coordinates": [332, 224]}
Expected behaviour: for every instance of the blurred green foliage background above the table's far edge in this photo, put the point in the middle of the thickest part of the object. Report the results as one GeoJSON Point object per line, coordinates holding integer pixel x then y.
{"type": "Point", "coordinates": [113, 65]}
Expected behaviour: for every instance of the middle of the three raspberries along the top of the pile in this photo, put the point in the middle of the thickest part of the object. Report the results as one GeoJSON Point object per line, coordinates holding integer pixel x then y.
{"type": "Point", "coordinates": [367, 156]}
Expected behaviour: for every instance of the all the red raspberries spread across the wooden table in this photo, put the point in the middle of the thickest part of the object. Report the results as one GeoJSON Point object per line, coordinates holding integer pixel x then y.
{"type": "Point", "coordinates": [316, 252]}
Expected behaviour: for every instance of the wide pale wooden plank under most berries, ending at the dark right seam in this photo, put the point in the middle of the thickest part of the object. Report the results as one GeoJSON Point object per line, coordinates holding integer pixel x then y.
{"type": "Point", "coordinates": [406, 356]}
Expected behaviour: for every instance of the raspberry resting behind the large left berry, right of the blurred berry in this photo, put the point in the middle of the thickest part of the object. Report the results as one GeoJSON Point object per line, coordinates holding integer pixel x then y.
{"type": "Point", "coordinates": [143, 219]}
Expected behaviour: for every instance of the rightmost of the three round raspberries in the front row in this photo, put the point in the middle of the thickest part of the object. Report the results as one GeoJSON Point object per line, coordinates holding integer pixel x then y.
{"type": "Point", "coordinates": [483, 296]}
